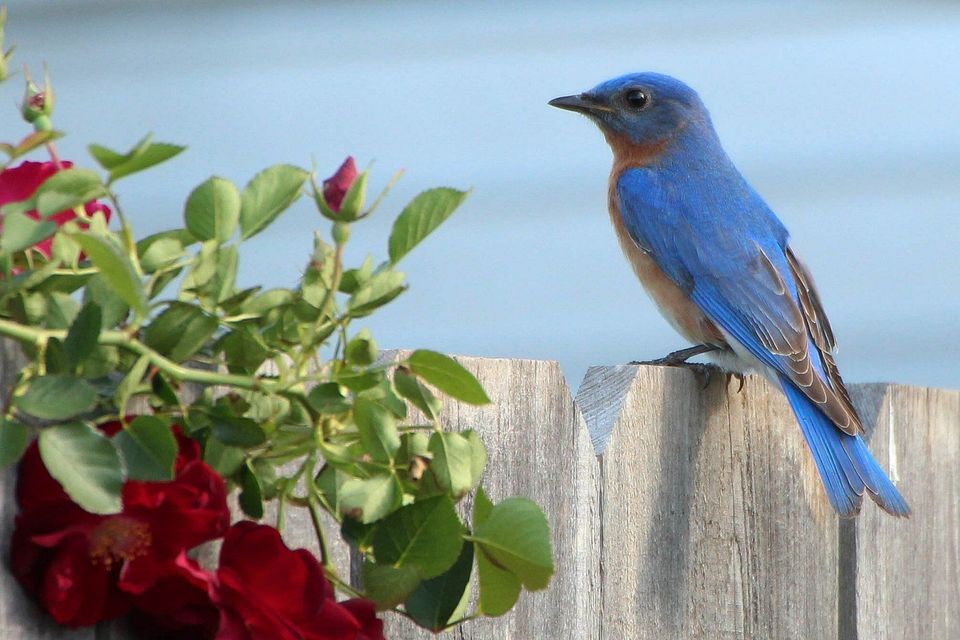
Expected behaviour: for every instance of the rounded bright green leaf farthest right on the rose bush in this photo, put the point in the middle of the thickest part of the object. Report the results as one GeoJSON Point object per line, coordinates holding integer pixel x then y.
{"type": "Point", "coordinates": [516, 536]}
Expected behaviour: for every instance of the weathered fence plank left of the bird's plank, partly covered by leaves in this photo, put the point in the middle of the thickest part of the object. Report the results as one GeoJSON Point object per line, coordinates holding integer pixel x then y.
{"type": "Point", "coordinates": [538, 447]}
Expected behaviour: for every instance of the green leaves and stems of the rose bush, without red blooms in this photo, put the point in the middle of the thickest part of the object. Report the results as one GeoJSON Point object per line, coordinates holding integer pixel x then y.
{"type": "Point", "coordinates": [289, 398]}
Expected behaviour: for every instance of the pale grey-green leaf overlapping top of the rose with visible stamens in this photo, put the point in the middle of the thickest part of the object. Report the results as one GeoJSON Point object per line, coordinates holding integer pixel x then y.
{"type": "Point", "coordinates": [86, 464]}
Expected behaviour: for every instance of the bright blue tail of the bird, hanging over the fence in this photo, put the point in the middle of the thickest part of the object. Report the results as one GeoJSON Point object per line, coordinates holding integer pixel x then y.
{"type": "Point", "coordinates": [846, 466]}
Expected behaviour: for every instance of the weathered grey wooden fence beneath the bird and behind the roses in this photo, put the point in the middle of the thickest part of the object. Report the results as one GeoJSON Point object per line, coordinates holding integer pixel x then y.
{"type": "Point", "coordinates": [687, 512]}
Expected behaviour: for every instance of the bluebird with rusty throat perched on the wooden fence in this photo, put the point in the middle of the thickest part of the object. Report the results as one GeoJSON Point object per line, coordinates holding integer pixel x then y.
{"type": "Point", "coordinates": [720, 266]}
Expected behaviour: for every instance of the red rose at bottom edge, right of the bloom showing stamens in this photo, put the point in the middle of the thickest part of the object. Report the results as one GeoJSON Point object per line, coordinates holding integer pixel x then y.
{"type": "Point", "coordinates": [265, 591]}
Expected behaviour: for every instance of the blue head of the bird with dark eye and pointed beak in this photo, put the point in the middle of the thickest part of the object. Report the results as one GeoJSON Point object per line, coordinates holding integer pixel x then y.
{"type": "Point", "coordinates": [640, 108]}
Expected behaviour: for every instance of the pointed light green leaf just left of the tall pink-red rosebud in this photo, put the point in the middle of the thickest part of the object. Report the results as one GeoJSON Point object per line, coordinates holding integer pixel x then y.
{"type": "Point", "coordinates": [267, 195]}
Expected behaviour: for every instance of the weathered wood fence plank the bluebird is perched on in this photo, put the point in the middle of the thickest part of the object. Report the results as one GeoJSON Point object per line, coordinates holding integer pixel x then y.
{"type": "Point", "coordinates": [713, 522]}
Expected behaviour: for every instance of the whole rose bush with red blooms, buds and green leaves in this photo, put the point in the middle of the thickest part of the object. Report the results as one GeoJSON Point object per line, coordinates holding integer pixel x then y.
{"type": "Point", "coordinates": [272, 393]}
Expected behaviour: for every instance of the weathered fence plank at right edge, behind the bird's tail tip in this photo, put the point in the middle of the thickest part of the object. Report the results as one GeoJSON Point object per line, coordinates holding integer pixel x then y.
{"type": "Point", "coordinates": [906, 573]}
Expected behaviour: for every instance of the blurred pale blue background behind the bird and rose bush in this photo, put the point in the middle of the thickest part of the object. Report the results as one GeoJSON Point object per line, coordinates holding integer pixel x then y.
{"type": "Point", "coordinates": [844, 116]}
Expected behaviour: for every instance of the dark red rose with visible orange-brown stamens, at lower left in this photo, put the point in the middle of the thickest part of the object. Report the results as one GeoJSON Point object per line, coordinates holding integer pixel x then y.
{"type": "Point", "coordinates": [77, 563]}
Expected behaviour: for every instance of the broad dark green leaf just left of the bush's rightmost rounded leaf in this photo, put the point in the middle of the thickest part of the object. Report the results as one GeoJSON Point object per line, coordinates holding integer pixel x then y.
{"type": "Point", "coordinates": [426, 535]}
